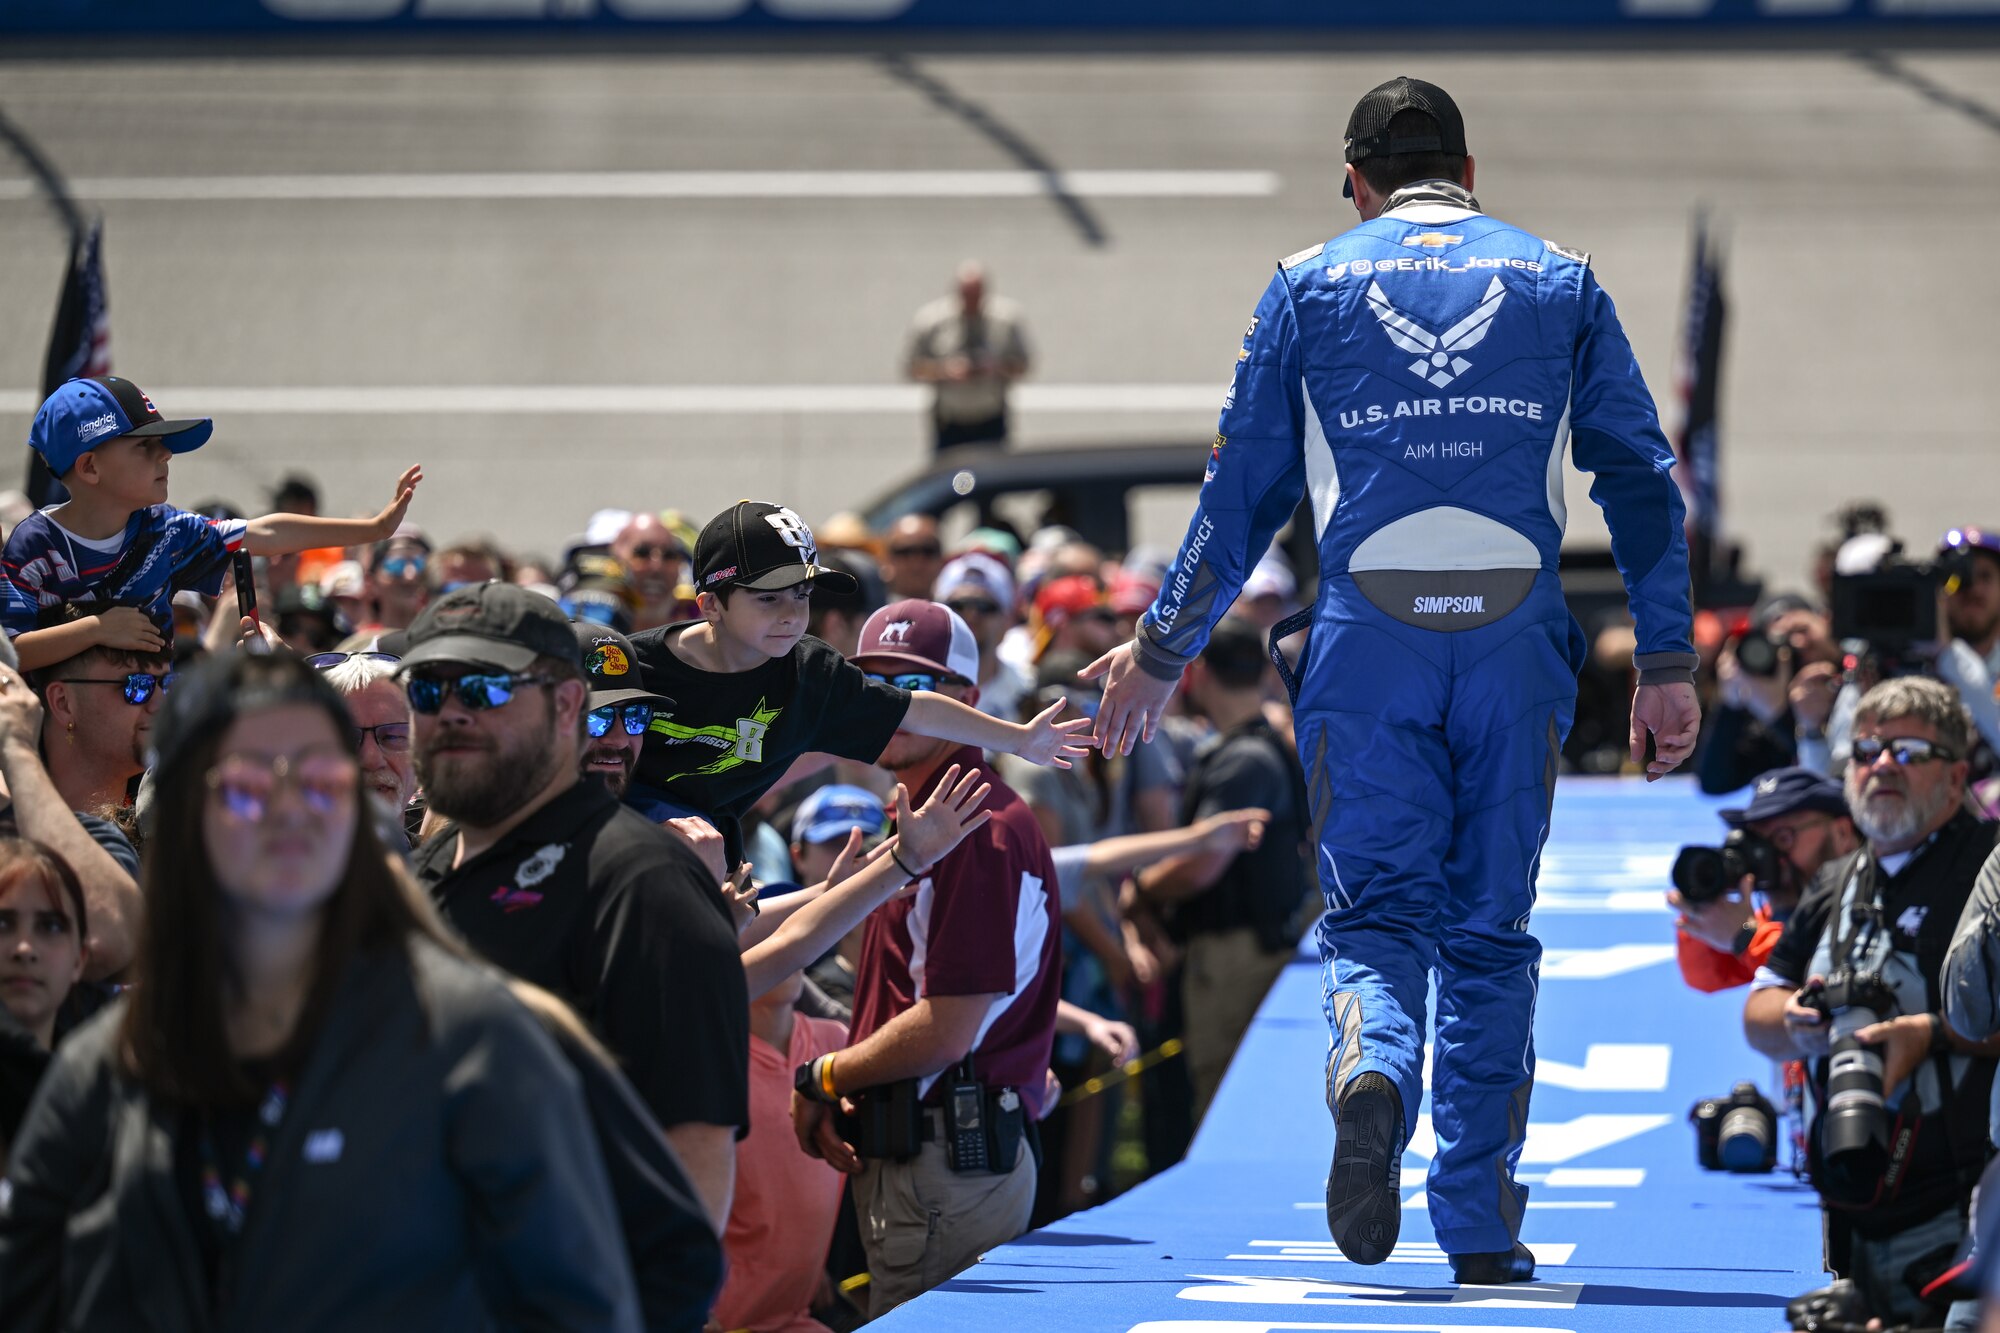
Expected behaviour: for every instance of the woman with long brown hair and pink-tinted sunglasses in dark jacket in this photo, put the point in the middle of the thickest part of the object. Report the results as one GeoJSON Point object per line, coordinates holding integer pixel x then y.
{"type": "Point", "coordinates": [311, 1112]}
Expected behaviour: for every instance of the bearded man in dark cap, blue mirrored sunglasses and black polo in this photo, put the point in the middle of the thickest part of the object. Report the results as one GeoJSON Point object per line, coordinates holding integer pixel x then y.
{"type": "Point", "coordinates": [559, 884]}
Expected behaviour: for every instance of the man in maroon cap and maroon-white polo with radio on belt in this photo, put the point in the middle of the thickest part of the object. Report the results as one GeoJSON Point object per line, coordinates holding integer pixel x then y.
{"type": "Point", "coordinates": [955, 1006]}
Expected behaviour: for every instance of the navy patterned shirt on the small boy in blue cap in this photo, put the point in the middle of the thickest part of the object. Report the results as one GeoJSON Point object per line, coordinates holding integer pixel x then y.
{"type": "Point", "coordinates": [163, 551]}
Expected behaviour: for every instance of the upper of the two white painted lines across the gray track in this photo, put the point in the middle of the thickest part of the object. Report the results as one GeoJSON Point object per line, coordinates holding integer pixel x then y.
{"type": "Point", "coordinates": [807, 185]}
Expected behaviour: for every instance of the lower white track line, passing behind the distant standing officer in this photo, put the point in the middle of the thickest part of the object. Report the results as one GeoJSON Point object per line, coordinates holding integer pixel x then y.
{"type": "Point", "coordinates": [653, 399]}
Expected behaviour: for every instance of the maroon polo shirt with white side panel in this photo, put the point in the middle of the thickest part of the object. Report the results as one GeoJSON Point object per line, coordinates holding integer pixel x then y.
{"type": "Point", "coordinates": [985, 922]}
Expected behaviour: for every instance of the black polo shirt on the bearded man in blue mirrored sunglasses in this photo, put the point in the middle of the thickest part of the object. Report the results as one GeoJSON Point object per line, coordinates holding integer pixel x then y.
{"type": "Point", "coordinates": [621, 920]}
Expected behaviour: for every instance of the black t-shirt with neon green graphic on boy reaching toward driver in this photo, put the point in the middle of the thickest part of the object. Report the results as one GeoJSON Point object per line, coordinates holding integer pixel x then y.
{"type": "Point", "coordinates": [733, 736]}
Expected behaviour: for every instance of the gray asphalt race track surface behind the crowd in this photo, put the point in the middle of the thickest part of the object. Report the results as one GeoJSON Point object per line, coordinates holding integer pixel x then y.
{"type": "Point", "coordinates": [1861, 199]}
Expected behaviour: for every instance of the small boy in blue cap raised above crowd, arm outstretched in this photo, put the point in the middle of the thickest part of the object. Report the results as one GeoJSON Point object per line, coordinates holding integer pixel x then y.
{"type": "Point", "coordinates": [117, 543]}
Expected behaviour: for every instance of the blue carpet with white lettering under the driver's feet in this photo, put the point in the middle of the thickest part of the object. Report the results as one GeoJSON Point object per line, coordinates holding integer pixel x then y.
{"type": "Point", "coordinates": [1631, 1234]}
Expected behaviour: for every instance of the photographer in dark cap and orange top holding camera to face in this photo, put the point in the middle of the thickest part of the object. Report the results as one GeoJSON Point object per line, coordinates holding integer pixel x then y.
{"type": "Point", "coordinates": [1735, 900]}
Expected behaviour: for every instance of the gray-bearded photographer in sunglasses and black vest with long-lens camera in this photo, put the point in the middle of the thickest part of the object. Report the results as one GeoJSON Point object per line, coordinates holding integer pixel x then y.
{"type": "Point", "coordinates": [1855, 986]}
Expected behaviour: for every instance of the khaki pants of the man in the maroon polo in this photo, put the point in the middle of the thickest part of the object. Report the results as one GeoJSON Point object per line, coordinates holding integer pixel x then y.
{"type": "Point", "coordinates": [921, 1224]}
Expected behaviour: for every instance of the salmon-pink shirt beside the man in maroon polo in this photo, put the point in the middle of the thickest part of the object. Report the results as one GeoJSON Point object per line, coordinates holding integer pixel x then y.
{"type": "Point", "coordinates": [783, 1216]}
